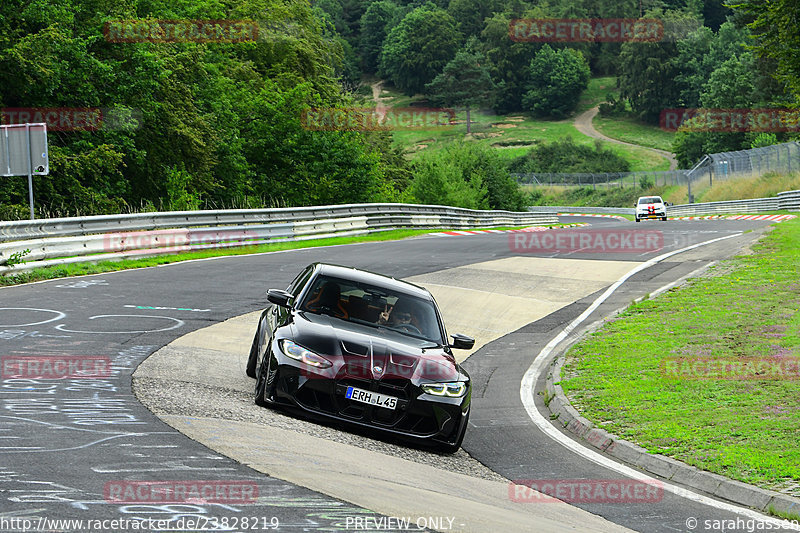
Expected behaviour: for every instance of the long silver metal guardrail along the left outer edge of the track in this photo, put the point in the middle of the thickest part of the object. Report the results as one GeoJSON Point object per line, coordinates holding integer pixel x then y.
{"type": "Point", "coordinates": [110, 237]}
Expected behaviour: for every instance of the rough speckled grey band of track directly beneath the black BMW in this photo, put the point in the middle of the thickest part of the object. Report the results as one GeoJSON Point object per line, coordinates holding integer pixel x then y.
{"type": "Point", "coordinates": [173, 397]}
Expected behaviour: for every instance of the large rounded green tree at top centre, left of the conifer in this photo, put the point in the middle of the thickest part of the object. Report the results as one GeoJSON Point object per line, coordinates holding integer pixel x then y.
{"type": "Point", "coordinates": [419, 47]}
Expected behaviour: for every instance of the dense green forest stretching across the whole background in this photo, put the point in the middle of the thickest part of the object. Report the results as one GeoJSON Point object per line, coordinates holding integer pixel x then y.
{"type": "Point", "coordinates": [192, 124]}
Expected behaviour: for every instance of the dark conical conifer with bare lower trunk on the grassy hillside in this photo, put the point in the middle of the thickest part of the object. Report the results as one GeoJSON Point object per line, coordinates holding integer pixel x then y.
{"type": "Point", "coordinates": [464, 81]}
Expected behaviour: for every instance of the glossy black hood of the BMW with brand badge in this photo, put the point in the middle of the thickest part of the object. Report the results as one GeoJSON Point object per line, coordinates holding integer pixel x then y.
{"type": "Point", "coordinates": [365, 352]}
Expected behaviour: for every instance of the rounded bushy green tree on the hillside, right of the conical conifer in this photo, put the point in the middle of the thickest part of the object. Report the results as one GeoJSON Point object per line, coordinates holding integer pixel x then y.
{"type": "Point", "coordinates": [557, 79]}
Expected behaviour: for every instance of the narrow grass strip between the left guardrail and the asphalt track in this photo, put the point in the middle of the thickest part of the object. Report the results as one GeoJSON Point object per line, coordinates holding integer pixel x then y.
{"type": "Point", "coordinates": [82, 269]}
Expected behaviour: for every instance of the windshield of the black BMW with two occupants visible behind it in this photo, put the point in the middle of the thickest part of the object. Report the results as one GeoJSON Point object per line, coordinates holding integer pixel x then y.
{"type": "Point", "coordinates": [378, 307]}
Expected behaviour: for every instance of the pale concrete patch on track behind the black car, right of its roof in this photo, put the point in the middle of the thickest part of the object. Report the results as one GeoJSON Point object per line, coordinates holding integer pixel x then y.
{"type": "Point", "coordinates": [488, 300]}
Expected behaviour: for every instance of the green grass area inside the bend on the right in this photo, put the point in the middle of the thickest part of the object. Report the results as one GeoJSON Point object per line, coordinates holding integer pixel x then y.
{"type": "Point", "coordinates": [746, 428]}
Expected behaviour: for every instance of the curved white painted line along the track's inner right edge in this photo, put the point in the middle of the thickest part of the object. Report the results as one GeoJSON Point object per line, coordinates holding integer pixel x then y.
{"type": "Point", "coordinates": [538, 365]}
